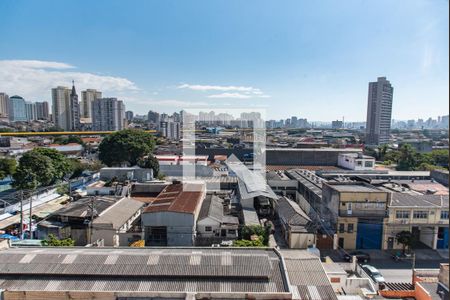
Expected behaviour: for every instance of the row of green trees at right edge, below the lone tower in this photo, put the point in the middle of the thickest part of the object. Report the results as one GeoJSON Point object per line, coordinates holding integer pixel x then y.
{"type": "Point", "coordinates": [408, 159]}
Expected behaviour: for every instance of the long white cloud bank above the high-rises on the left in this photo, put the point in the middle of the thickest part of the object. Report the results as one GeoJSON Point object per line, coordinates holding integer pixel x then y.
{"type": "Point", "coordinates": [34, 79]}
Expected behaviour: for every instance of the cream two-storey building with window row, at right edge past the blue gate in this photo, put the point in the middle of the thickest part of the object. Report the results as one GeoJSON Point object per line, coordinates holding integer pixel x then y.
{"type": "Point", "coordinates": [425, 216]}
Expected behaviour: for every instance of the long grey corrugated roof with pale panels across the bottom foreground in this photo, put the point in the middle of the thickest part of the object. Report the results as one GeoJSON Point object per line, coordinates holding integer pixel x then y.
{"type": "Point", "coordinates": [176, 269]}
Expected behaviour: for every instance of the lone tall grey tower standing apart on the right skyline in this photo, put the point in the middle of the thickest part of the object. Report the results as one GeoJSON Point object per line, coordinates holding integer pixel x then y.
{"type": "Point", "coordinates": [379, 111]}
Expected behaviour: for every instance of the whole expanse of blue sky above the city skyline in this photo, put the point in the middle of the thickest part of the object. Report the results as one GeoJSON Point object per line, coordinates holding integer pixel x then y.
{"type": "Point", "coordinates": [310, 59]}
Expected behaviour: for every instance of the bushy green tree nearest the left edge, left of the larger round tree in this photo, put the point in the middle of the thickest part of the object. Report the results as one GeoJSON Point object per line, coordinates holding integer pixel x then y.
{"type": "Point", "coordinates": [35, 169]}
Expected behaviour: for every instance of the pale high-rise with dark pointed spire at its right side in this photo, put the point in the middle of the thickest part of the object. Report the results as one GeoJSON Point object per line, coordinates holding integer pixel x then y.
{"type": "Point", "coordinates": [66, 108]}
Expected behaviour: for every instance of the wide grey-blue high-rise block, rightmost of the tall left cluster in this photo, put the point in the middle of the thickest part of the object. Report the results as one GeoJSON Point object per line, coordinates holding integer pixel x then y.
{"type": "Point", "coordinates": [108, 114]}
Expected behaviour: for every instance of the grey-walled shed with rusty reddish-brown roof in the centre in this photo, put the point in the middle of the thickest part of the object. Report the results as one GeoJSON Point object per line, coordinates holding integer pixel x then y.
{"type": "Point", "coordinates": [171, 219]}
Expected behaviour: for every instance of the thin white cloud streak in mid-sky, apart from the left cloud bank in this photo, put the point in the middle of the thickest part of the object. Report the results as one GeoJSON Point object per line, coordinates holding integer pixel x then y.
{"type": "Point", "coordinates": [229, 91]}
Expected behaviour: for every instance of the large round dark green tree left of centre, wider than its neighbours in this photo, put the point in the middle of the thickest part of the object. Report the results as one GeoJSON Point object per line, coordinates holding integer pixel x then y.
{"type": "Point", "coordinates": [125, 146]}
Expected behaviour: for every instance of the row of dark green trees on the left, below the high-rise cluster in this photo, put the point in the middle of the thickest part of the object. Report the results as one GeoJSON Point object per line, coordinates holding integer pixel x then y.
{"type": "Point", "coordinates": [46, 166]}
